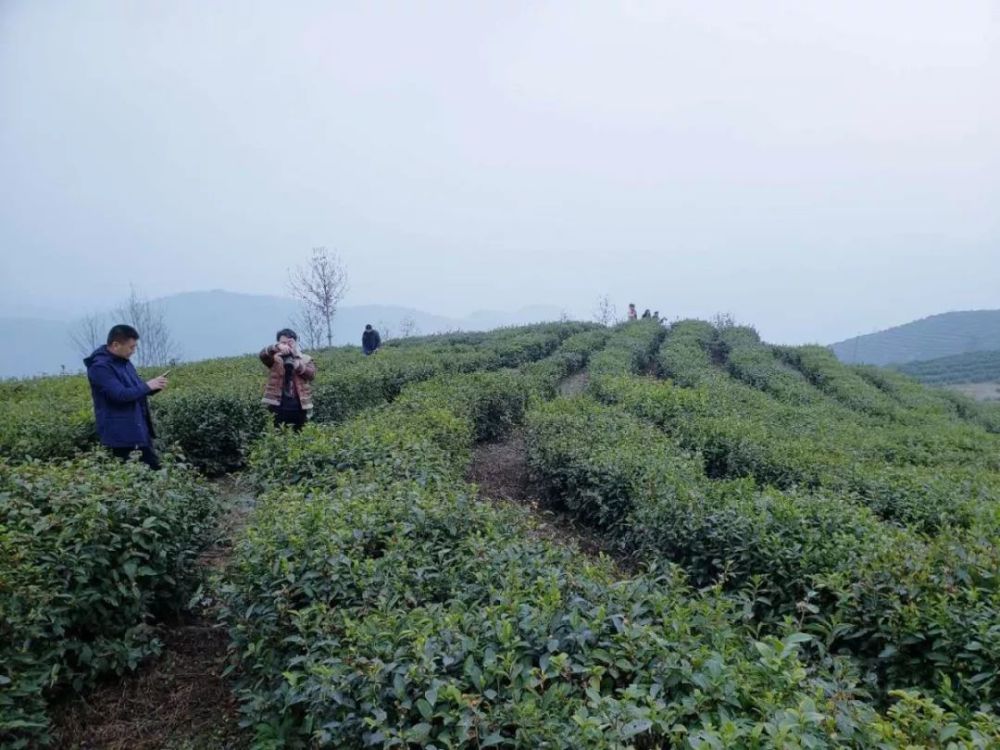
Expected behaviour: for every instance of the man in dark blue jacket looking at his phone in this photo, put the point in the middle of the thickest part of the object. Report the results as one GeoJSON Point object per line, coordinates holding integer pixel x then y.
{"type": "Point", "coordinates": [121, 407]}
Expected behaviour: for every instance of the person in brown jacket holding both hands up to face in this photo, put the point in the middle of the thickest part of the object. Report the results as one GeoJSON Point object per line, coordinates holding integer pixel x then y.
{"type": "Point", "coordinates": [288, 392]}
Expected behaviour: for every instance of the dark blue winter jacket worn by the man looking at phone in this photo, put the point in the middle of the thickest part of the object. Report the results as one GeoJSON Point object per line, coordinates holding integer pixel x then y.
{"type": "Point", "coordinates": [120, 404]}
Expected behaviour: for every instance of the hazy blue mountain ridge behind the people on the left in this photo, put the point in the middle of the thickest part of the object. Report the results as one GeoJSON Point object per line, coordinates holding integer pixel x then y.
{"type": "Point", "coordinates": [218, 323]}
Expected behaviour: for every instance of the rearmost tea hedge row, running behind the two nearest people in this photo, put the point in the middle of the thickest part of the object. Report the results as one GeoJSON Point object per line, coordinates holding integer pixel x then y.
{"type": "Point", "coordinates": [212, 411]}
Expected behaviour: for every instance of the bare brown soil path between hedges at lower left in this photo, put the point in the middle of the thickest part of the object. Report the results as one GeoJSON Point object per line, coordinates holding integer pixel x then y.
{"type": "Point", "coordinates": [180, 700]}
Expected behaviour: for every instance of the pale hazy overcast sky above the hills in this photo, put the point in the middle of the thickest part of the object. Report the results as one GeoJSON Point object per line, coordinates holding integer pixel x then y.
{"type": "Point", "coordinates": [818, 169]}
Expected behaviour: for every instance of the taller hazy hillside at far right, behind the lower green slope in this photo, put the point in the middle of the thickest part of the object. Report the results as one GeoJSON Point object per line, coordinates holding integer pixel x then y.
{"type": "Point", "coordinates": [943, 335]}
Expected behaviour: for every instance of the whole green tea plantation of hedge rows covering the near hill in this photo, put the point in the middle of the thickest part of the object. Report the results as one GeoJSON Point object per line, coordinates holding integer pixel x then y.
{"type": "Point", "coordinates": [805, 554]}
